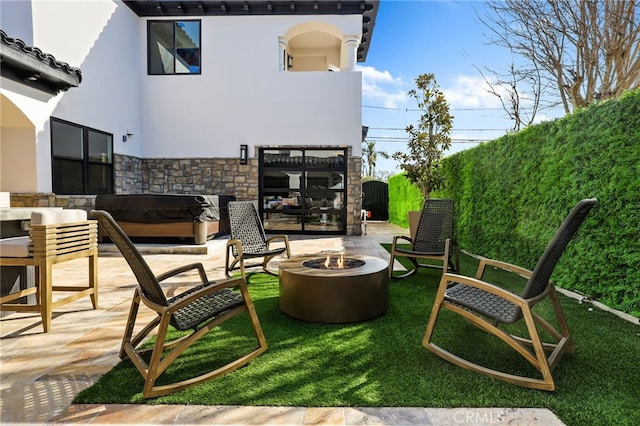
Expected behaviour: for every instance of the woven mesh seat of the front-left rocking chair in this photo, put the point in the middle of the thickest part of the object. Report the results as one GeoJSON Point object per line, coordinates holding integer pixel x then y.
{"type": "Point", "coordinates": [203, 308]}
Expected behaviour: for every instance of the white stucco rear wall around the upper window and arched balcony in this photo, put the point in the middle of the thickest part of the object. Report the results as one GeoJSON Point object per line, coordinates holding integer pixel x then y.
{"type": "Point", "coordinates": [242, 98]}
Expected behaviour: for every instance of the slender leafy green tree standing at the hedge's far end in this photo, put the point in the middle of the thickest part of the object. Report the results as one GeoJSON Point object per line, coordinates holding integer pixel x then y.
{"type": "Point", "coordinates": [429, 138]}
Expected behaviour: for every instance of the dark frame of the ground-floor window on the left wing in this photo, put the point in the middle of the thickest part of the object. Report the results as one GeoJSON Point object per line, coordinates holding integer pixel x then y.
{"type": "Point", "coordinates": [85, 161]}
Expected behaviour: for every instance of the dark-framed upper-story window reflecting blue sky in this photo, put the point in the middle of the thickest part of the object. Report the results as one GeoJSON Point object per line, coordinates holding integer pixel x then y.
{"type": "Point", "coordinates": [173, 47]}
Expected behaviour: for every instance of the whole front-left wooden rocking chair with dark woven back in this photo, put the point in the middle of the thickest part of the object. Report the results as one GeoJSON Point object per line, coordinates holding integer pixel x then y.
{"type": "Point", "coordinates": [200, 309]}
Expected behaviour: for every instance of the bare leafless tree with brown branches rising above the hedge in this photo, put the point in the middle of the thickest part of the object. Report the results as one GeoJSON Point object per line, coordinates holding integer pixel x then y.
{"type": "Point", "coordinates": [588, 50]}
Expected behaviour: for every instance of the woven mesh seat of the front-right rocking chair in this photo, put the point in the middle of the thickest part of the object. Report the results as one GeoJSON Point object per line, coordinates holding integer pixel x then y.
{"type": "Point", "coordinates": [484, 302]}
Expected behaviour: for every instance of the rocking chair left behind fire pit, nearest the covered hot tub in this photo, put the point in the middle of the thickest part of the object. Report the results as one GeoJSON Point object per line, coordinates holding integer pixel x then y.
{"type": "Point", "coordinates": [248, 239]}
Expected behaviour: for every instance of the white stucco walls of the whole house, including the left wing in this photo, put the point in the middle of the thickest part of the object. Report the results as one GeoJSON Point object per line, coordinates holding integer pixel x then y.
{"type": "Point", "coordinates": [241, 97]}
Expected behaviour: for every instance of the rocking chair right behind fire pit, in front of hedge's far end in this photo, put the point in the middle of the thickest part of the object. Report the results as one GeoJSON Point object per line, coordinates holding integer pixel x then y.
{"type": "Point", "coordinates": [433, 240]}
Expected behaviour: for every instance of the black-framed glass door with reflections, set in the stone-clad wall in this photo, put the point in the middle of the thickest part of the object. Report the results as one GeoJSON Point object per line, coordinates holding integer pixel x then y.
{"type": "Point", "coordinates": [303, 190]}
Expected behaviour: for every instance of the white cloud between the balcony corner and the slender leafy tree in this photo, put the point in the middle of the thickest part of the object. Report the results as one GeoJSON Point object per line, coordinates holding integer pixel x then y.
{"type": "Point", "coordinates": [381, 88]}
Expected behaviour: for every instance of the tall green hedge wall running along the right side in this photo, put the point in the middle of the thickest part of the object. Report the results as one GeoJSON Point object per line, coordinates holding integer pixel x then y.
{"type": "Point", "coordinates": [511, 194]}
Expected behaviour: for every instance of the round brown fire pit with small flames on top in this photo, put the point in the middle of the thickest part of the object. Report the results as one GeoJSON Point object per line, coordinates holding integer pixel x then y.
{"type": "Point", "coordinates": [317, 293]}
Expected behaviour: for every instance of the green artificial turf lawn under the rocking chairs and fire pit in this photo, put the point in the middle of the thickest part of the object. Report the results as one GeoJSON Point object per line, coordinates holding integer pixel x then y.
{"type": "Point", "coordinates": [381, 362]}
